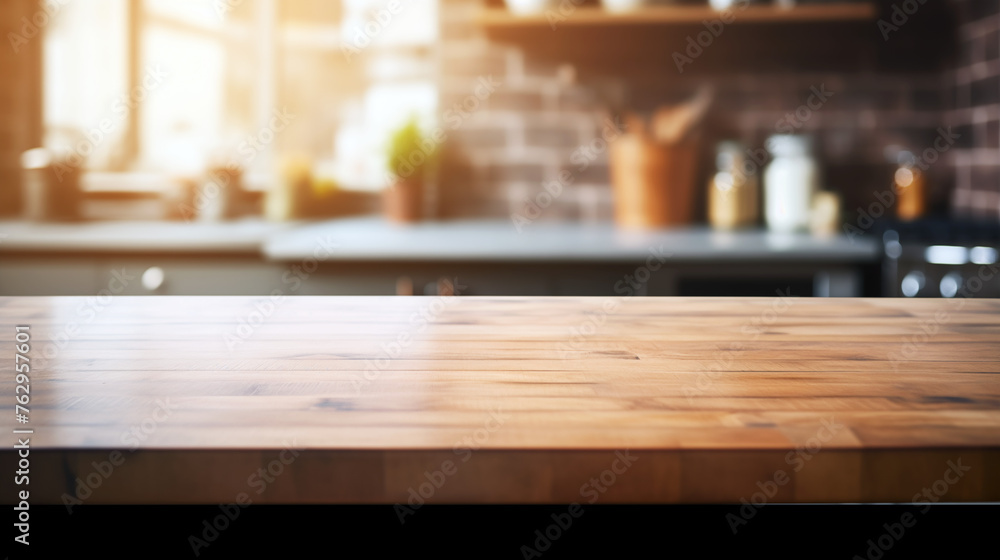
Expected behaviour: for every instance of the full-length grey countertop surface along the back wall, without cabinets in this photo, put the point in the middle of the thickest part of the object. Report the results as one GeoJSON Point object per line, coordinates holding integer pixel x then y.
{"type": "Point", "coordinates": [374, 239]}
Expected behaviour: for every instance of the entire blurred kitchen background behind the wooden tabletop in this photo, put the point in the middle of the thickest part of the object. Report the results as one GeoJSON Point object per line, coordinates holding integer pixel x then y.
{"type": "Point", "coordinates": [492, 147]}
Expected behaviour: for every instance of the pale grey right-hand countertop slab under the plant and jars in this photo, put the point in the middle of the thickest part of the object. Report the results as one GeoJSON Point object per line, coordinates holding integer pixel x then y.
{"type": "Point", "coordinates": [373, 239]}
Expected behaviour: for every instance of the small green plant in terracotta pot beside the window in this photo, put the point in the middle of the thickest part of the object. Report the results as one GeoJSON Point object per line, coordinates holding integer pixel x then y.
{"type": "Point", "coordinates": [411, 156]}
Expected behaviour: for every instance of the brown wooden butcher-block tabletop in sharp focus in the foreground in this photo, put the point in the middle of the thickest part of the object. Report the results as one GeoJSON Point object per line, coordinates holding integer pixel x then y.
{"type": "Point", "coordinates": [508, 399]}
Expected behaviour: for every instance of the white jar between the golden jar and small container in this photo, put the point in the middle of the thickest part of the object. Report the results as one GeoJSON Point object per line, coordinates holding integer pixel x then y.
{"type": "Point", "coordinates": [789, 182]}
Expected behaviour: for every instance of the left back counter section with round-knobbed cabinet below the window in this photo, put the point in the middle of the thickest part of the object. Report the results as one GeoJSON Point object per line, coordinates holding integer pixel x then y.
{"type": "Point", "coordinates": [86, 258]}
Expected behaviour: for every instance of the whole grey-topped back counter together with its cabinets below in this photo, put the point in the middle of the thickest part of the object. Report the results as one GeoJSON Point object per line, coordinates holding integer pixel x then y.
{"type": "Point", "coordinates": [369, 256]}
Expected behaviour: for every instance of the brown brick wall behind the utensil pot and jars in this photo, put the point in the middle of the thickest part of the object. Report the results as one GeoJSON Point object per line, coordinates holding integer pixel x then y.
{"type": "Point", "coordinates": [521, 137]}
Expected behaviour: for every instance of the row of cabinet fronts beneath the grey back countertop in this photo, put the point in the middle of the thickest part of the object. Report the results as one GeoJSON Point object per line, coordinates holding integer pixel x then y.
{"type": "Point", "coordinates": [195, 275]}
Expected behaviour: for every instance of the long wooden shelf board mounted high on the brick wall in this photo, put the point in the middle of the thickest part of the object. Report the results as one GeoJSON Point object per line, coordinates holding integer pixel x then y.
{"type": "Point", "coordinates": [500, 18]}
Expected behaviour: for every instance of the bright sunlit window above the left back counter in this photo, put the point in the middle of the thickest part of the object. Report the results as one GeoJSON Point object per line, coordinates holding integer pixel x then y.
{"type": "Point", "coordinates": [160, 88]}
